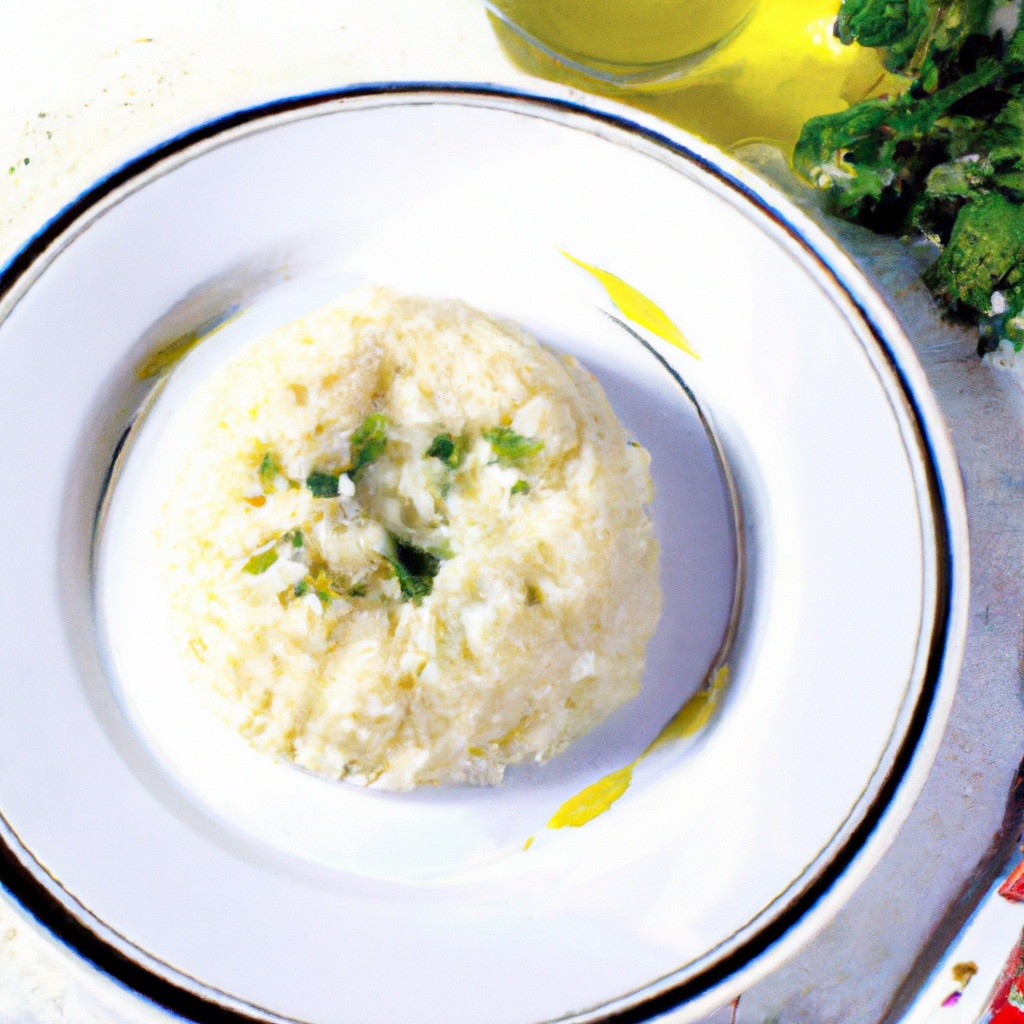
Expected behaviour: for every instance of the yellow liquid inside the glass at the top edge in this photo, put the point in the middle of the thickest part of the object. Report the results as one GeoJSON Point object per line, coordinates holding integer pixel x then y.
{"type": "Point", "coordinates": [627, 33]}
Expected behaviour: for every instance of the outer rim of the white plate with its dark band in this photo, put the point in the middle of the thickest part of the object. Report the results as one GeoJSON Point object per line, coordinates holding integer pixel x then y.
{"type": "Point", "coordinates": [753, 958]}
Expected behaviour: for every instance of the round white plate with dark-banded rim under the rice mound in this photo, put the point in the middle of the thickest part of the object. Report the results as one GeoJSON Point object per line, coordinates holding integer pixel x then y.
{"type": "Point", "coordinates": [214, 879]}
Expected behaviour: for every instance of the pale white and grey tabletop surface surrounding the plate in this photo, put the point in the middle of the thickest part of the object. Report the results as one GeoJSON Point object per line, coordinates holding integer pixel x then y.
{"type": "Point", "coordinates": [89, 88]}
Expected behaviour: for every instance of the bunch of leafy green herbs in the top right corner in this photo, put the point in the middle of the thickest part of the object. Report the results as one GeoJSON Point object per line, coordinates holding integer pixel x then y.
{"type": "Point", "coordinates": [945, 160]}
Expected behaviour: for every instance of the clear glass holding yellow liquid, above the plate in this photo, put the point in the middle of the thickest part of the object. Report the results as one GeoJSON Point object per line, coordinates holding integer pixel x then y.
{"type": "Point", "coordinates": [622, 44]}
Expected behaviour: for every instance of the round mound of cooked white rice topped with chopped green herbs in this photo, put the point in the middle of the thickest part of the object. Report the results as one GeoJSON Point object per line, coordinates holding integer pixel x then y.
{"type": "Point", "coordinates": [447, 614]}
